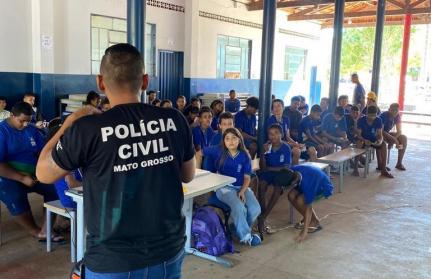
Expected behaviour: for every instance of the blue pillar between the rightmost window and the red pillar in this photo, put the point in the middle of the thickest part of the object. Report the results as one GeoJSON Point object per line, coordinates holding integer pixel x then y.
{"type": "Point", "coordinates": [336, 53]}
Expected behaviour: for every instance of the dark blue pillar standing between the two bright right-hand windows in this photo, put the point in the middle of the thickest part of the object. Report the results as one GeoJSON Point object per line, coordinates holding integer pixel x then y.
{"type": "Point", "coordinates": [265, 85]}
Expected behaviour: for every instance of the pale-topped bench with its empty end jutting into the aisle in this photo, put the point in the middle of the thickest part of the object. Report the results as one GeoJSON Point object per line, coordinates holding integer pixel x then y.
{"type": "Point", "coordinates": [339, 159]}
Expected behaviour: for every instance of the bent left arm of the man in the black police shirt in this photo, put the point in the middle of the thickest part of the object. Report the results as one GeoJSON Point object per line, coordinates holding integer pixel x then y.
{"type": "Point", "coordinates": [47, 170]}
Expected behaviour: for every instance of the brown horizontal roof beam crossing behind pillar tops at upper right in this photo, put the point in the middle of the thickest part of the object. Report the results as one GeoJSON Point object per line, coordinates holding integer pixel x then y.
{"type": "Point", "coordinates": [413, 11]}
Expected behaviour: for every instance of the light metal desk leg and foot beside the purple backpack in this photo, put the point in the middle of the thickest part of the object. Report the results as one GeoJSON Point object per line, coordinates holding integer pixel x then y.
{"type": "Point", "coordinates": [188, 212]}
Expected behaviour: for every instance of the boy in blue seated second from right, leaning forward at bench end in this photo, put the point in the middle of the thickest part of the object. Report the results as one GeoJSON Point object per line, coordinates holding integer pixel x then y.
{"type": "Point", "coordinates": [370, 133]}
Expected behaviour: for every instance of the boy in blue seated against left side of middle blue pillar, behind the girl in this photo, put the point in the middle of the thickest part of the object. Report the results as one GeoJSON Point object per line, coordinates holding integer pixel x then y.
{"type": "Point", "coordinates": [245, 122]}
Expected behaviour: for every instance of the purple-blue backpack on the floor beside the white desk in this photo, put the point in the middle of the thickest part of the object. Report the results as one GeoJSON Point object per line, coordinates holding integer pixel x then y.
{"type": "Point", "coordinates": [208, 233]}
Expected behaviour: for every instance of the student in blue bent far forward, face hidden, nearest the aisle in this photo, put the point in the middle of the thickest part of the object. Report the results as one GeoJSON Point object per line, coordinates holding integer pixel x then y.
{"type": "Point", "coordinates": [311, 185]}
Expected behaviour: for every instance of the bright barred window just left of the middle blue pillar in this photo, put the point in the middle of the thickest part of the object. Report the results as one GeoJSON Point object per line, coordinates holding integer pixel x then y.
{"type": "Point", "coordinates": [233, 57]}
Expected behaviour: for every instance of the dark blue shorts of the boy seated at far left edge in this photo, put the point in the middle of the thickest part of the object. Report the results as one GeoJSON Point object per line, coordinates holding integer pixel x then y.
{"type": "Point", "coordinates": [14, 195]}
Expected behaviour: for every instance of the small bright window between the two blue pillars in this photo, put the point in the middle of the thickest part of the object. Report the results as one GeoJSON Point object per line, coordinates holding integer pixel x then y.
{"type": "Point", "coordinates": [294, 63]}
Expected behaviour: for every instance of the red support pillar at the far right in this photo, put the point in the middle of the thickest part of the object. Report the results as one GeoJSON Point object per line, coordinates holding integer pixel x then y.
{"type": "Point", "coordinates": [404, 59]}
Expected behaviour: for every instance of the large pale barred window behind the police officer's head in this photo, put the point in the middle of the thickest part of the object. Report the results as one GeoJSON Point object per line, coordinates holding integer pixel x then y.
{"type": "Point", "coordinates": [107, 31]}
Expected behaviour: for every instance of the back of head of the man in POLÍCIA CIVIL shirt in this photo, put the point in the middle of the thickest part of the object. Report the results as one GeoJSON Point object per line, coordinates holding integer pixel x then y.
{"type": "Point", "coordinates": [123, 65]}
